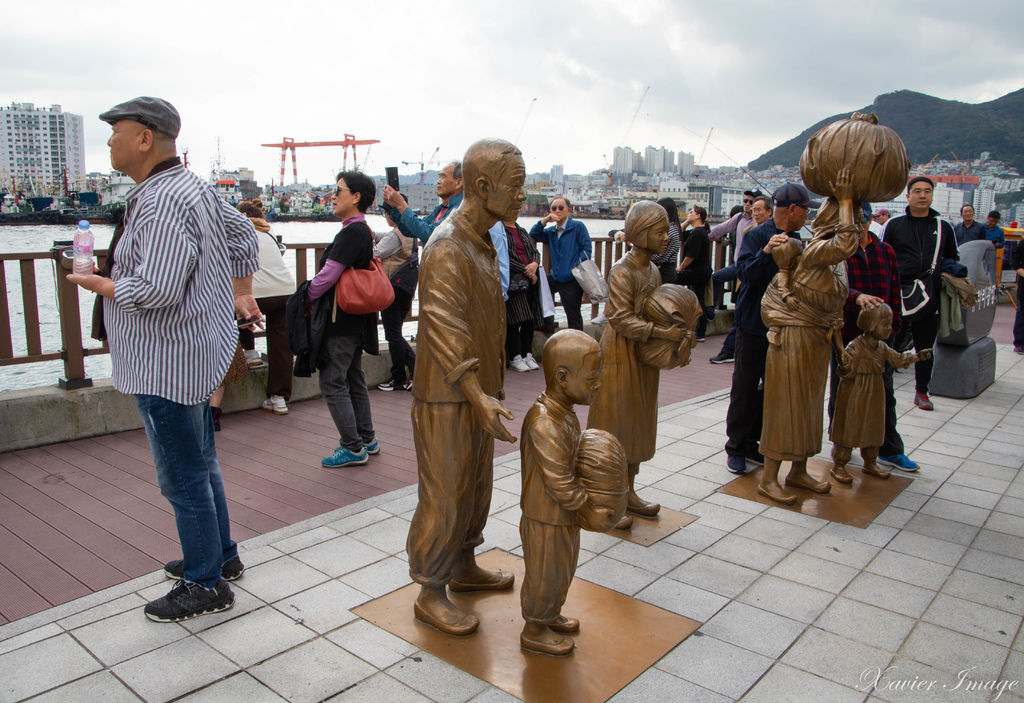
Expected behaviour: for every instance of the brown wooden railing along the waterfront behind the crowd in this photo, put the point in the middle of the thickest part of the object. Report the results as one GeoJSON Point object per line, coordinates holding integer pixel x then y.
{"type": "Point", "coordinates": [74, 331]}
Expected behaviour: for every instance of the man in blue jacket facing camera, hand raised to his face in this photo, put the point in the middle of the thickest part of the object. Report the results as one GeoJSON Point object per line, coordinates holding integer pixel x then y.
{"type": "Point", "coordinates": [569, 242]}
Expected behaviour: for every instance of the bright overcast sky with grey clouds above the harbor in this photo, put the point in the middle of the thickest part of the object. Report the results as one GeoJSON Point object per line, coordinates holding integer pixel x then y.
{"type": "Point", "coordinates": [442, 74]}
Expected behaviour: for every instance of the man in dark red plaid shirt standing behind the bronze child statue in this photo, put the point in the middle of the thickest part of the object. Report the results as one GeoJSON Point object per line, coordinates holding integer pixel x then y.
{"type": "Point", "coordinates": [874, 278]}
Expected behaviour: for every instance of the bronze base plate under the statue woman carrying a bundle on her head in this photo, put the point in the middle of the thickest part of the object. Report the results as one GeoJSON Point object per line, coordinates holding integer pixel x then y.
{"type": "Point", "coordinates": [857, 505]}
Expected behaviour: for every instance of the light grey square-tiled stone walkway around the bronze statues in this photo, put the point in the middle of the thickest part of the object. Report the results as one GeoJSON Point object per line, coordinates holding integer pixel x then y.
{"type": "Point", "coordinates": [921, 606]}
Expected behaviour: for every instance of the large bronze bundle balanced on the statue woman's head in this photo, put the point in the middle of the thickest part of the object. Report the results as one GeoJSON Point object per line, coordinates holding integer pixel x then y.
{"type": "Point", "coordinates": [874, 154]}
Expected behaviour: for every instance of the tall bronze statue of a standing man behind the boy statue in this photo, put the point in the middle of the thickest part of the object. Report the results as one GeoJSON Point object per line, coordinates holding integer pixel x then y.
{"type": "Point", "coordinates": [457, 407]}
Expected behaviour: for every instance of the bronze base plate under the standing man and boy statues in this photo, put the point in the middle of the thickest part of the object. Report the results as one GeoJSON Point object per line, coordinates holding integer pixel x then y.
{"type": "Point", "coordinates": [619, 639]}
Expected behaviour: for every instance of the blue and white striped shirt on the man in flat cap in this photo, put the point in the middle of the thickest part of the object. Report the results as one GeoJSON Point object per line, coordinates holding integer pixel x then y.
{"type": "Point", "coordinates": [172, 323]}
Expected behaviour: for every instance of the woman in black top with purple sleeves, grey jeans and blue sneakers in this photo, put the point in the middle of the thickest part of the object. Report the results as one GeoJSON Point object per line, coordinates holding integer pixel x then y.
{"type": "Point", "coordinates": [342, 379]}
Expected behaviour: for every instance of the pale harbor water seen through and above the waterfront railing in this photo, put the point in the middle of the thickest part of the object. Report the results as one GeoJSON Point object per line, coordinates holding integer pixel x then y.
{"type": "Point", "coordinates": [39, 239]}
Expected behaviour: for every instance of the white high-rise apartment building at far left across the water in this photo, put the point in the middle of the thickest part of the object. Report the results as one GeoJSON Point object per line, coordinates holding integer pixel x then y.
{"type": "Point", "coordinates": [38, 146]}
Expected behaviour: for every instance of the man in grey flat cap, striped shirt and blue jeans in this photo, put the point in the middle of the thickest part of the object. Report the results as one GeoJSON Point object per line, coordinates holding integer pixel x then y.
{"type": "Point", "coordinates": [182, 273]}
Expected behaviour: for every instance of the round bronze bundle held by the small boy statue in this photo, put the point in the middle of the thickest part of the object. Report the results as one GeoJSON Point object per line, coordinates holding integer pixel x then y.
{"type": "Point", "coordinates": [602, 468]}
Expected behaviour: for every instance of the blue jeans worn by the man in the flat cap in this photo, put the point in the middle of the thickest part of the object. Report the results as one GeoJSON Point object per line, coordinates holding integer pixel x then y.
{"type": "Point", "coordinates": [182, 441]}
